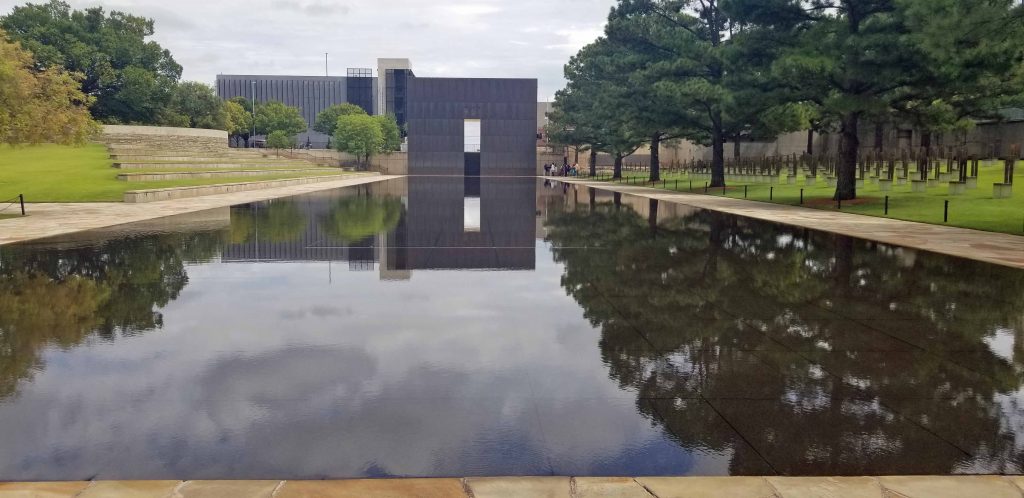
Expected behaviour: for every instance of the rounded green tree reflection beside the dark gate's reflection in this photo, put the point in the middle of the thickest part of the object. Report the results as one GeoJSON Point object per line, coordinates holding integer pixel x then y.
{"type": "Point", "coordinates": [355, 219]}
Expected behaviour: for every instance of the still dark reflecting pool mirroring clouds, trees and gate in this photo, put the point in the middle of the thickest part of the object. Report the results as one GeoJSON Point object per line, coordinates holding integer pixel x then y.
{"type": "Point", "coordinates": [447, 327]}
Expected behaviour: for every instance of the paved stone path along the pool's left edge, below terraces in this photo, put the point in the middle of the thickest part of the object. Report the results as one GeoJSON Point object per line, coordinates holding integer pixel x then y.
{"type": "Point", "coordinates": [58, 219]}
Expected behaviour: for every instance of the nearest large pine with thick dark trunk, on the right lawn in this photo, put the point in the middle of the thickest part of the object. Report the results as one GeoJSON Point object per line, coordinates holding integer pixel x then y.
{"type": "Point", "coordinates": [930, 62]}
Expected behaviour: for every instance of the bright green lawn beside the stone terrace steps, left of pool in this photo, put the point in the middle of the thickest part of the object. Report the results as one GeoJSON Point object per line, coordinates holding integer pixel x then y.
{"type": "Point", "coordinates": [59, 174]}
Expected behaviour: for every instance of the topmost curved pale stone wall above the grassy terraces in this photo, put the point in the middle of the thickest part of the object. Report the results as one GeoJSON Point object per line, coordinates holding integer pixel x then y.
{"type": "Point", "coordinates": [159, 138]}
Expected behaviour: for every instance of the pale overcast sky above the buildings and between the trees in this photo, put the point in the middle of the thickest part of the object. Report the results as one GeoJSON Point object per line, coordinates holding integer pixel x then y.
{"type": "Point", "coordinates": [472, 38]}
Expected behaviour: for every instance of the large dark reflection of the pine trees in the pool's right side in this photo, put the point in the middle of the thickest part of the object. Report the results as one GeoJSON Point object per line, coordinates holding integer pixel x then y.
{"type": "Point", "coordinates": [719, 308]}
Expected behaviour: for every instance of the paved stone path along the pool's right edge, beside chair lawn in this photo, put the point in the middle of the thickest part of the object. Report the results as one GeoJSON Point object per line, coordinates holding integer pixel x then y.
{"type": "Point", "coordinates": [986, 246]}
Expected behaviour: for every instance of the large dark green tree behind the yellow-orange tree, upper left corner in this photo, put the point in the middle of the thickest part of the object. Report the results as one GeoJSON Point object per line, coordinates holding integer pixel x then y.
{"type": "Point", "coordinates": [130, 77]}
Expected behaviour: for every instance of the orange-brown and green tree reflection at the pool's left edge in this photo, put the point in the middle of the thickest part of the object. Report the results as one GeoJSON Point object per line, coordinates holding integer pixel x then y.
{"type": "Point", "coordinates": [62, 297]}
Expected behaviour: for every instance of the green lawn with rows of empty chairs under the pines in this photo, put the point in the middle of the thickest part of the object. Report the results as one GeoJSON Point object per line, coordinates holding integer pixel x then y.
{"type": "Point", "coordinates": [976, 210]}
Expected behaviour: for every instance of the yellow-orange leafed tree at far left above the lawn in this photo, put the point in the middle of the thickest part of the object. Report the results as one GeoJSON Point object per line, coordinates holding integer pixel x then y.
{"type": "Point", "coordinates": [39, 106]}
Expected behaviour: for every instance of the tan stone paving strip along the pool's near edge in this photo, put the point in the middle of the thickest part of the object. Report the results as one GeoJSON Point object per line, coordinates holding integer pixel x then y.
{"type": "Point", "coordinates": [890, 487]}
